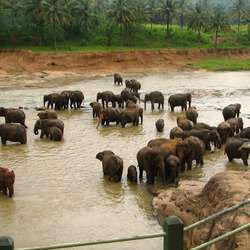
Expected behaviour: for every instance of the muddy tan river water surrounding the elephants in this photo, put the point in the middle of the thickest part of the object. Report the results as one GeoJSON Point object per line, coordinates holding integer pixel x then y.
{"type": "Point", "coordinates": [61, 195]}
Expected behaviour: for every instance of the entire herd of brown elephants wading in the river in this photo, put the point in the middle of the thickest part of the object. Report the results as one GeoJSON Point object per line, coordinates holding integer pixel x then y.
{"type": "Point", "coordinates": [165, 157]}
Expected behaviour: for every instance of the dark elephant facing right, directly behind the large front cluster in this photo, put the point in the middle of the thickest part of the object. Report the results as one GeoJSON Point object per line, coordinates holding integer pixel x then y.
{"type": "Point", "coordinates": [207, 136]}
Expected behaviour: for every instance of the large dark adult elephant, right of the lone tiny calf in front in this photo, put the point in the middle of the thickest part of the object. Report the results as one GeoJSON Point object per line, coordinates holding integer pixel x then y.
{"type": "Point", "coordinates": [150, 160]}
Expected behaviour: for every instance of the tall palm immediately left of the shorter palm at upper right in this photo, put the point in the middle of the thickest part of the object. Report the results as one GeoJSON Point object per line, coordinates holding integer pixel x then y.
{"type": "Point", "coordinates": [196, 20]}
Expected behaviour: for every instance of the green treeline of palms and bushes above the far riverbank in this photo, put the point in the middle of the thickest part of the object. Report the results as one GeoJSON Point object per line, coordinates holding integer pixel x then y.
{"type": "Point", "coordinates": [124, 23]}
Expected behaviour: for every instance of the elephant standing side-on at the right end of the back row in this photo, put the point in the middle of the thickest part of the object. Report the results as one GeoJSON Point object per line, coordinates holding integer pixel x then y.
{"type": "Point", "coordinates": [180, 100]}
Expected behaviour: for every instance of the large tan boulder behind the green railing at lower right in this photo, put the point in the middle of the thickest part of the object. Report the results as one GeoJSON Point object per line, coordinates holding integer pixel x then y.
{"type": "Point", "coordinates": [193, 201]}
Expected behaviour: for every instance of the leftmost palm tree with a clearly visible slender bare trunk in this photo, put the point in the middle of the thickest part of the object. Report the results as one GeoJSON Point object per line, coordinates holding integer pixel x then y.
{"type": "Point", "coordinates": [54, 11]}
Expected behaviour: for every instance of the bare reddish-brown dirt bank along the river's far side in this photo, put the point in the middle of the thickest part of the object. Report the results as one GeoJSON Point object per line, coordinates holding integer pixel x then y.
{"type": "Point", "coordinates": [23, 68]}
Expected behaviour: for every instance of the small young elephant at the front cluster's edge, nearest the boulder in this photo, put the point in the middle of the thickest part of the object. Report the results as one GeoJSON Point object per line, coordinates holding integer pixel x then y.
{"type": "Point", "coordinates": [172, 169]}
